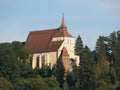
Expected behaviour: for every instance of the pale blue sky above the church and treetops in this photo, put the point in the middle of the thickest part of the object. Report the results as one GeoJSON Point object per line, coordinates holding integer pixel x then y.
{"type": "Point", "coordinates": [87, 18]}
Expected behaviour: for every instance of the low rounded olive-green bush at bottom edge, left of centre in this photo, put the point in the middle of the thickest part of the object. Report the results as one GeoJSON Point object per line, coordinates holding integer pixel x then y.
{"type": "Point", "coordinates": [31, 84]}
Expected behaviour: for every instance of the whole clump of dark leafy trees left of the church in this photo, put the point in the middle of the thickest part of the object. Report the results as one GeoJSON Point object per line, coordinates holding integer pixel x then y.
{"type": "Point", "coordinates": [13, 62]}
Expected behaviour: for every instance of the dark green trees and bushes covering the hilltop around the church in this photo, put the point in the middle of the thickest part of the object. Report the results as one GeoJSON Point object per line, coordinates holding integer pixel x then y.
{"type": "Point", "coordinates": [98, 69]}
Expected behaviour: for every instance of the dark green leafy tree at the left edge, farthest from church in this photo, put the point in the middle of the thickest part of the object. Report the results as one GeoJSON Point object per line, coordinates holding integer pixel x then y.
{"type": "Point", "coordinates": [9, 65]}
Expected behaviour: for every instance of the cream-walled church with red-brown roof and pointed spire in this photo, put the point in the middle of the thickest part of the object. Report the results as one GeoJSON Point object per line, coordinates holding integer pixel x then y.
{"type": "Point", "coordinates": [48, 45]}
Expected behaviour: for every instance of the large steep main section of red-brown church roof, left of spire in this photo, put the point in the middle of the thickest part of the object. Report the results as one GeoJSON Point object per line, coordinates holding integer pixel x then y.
{"type": "Point", "coordinates": [38, 41]}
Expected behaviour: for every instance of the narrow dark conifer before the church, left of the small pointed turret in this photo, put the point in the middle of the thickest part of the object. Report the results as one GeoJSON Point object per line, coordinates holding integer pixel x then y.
{"type": "Point", "coordinates": [59, 71]}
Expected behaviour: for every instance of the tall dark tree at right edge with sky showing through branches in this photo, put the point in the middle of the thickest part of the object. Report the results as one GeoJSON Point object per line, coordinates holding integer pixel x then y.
{"type": "Point", "coordinates": [113, 51]}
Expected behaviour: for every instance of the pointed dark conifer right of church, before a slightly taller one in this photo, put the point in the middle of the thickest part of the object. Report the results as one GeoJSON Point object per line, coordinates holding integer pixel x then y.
{"type": "Point", "coordinates": [85, 70]}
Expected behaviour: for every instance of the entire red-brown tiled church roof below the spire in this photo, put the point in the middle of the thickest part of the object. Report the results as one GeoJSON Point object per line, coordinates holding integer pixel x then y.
{"type": "Point", "coordinates": [40, 41]}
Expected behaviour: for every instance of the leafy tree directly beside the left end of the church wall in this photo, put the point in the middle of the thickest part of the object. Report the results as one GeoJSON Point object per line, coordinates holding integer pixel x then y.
{"type": "Point", "coordinates": [23, 57]}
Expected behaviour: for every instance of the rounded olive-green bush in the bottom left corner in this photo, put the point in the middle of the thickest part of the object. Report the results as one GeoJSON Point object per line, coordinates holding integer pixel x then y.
{"type": "Point", "coordinates": [5, 84]}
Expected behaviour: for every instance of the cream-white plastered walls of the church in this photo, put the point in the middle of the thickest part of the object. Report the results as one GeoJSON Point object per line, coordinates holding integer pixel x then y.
{"type": "Point", "coordinates": [51, 57]}
